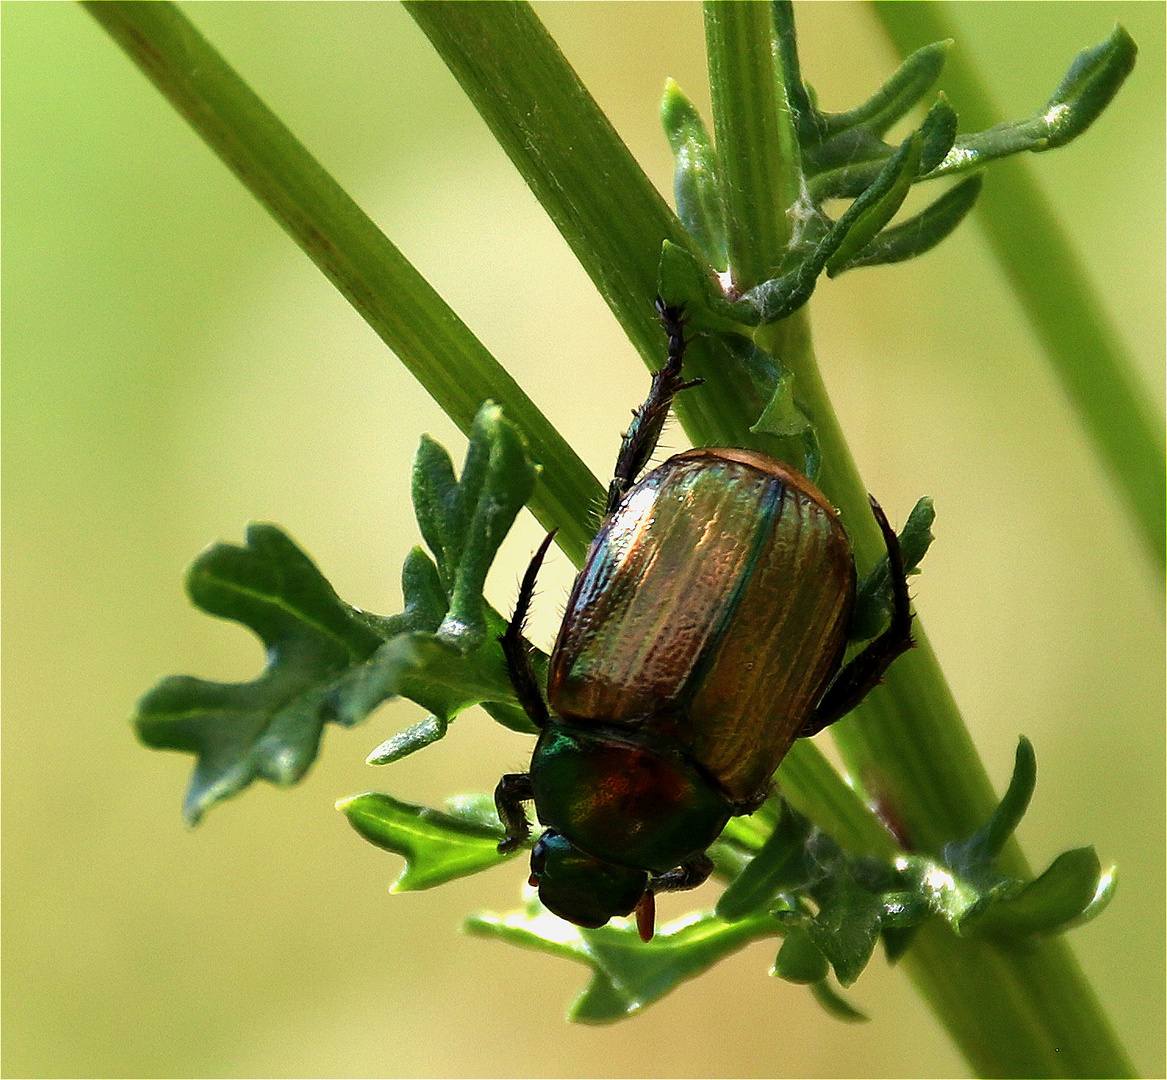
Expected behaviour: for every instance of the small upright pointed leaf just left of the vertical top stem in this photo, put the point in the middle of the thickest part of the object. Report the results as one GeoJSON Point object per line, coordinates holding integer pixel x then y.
{"type": "Point", "coordinates": [697, 185]}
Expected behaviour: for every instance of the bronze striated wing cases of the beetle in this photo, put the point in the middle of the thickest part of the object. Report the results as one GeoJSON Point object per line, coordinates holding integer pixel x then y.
{"type": "Point", "coordinates": [712, 610]}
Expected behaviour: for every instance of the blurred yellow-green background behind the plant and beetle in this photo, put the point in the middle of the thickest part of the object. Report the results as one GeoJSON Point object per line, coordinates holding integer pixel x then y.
{"type": "Point", "coordinates": [174, 368]}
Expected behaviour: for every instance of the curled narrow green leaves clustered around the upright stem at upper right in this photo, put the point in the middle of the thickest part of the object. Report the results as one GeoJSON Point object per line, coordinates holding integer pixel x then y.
{"type": "Point", "coordinates": [843, 156]}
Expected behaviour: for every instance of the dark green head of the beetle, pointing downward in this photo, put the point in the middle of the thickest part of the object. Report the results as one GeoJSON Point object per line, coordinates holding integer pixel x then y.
{"type": "Point", "coordinates": [581, 889]}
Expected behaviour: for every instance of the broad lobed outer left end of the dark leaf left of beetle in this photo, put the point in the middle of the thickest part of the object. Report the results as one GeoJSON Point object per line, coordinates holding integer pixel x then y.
{"type": "Point", "coordinates": [269, 728]}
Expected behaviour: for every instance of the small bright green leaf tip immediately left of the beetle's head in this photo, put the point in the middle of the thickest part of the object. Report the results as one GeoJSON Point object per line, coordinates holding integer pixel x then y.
{"type": "Point", "coordinates": [437, 847]}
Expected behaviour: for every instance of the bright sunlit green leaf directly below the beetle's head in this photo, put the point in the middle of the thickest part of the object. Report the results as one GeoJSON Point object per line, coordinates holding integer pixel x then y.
{"type": "Point", "coordinates": [627, 974]}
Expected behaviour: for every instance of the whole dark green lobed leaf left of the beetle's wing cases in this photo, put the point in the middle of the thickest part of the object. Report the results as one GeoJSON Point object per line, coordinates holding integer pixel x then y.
{"type": "Point", "coordinates": [330, 661]}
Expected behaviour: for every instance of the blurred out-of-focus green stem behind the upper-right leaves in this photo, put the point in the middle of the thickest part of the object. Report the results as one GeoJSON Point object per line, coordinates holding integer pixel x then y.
{"type": "Point", "coordinates": [1094, 366]}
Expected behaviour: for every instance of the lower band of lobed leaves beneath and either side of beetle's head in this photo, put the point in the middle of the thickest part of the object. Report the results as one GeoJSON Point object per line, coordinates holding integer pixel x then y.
{"type": "Point", "coordinates": [786, 877]}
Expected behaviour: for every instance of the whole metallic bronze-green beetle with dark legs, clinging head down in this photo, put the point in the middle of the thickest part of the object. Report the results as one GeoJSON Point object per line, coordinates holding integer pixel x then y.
{"type": "Point", "coordinates": [704, 635]}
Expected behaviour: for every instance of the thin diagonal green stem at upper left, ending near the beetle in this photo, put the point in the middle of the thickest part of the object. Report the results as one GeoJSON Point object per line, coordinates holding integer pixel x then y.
{"type": "Point", "coordinates": [388, 292]}
